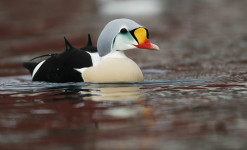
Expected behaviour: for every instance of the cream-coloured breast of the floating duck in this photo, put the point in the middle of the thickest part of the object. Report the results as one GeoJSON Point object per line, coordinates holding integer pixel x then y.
{"type": "Point", "coordinates": [113, 70]}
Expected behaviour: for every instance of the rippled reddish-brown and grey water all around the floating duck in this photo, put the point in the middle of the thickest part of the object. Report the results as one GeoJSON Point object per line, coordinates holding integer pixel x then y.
{"type": "Point", "coordinates": [195, 90]}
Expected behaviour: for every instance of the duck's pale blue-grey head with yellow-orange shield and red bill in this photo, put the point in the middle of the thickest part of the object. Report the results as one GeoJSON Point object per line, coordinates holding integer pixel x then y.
{"type": "Point", "coordinates": [123, 34]}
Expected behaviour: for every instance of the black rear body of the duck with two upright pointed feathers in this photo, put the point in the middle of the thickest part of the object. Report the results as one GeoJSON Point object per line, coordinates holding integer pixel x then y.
{"type": "Point", "coordinates": [60, 68]}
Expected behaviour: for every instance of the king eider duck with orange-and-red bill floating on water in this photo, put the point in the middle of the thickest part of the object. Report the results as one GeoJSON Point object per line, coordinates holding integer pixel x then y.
{"type": "Point", "coordinates": [105, 64]}
